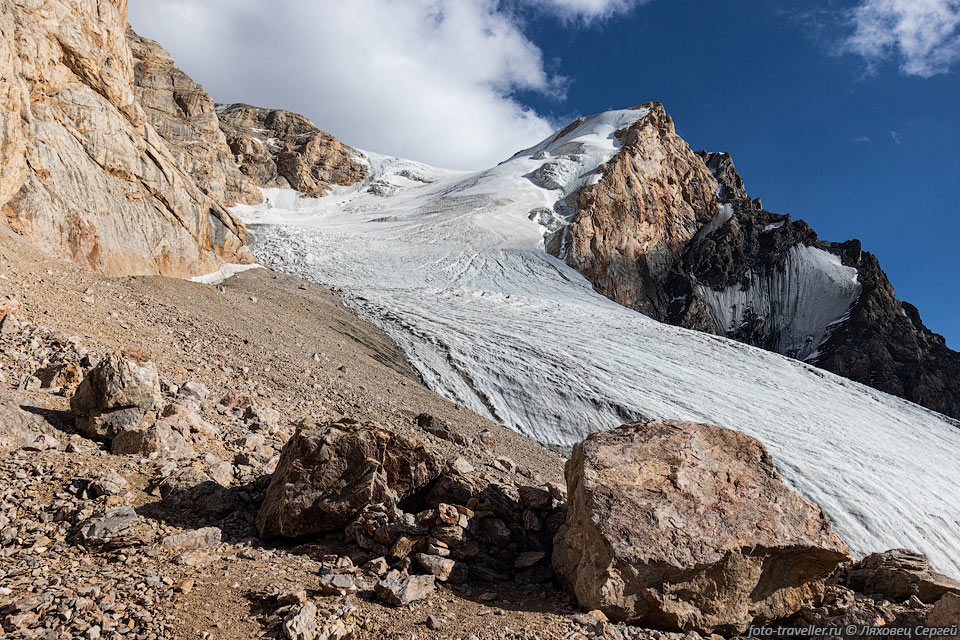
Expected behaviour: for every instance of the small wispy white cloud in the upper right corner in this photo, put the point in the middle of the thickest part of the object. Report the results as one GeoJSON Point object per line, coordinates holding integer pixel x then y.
{"type": "Point", "coordinates": [923, 35]}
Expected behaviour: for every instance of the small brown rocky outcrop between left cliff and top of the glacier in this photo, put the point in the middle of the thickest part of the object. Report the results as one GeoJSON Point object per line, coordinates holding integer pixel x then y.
{"type": "Point", "coordinates": [276, 148]}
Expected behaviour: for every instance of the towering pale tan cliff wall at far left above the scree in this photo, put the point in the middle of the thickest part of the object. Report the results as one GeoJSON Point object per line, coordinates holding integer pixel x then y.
{"type": "Point", "coordinates": [88, 172]}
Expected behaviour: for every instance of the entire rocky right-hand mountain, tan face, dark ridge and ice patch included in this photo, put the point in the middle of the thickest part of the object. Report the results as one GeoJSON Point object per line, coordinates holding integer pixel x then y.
{"type": "Point", "coordinates": [675, 235]}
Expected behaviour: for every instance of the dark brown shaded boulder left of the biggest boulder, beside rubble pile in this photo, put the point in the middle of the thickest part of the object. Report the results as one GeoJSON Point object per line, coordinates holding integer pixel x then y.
{"type": "Point", "coordinates": [326, 476]}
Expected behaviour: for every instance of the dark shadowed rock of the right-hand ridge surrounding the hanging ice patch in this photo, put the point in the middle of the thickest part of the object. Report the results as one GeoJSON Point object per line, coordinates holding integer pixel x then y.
{"type": "Point", "coordinates": [880, 341]}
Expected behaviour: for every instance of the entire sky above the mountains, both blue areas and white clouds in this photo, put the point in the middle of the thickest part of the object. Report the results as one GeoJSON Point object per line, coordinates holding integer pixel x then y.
{"type": "Point", "coordinates": [845, 114]}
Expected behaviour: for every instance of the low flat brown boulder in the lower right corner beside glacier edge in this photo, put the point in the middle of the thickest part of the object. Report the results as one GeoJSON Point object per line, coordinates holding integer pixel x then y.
{"type": "Point", "coordinates": [896, 575]}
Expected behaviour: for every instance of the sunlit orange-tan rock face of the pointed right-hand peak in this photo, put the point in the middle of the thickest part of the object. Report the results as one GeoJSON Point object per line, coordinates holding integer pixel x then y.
{"type": "Point", "coordinates": [631, 226]}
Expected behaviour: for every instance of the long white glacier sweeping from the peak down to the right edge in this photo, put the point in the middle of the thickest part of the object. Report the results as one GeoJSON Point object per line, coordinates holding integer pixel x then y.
{"type": "Point", "coordinates": [450, 265]}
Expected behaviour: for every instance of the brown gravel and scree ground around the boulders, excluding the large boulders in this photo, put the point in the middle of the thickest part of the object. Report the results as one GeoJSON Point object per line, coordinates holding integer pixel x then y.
{"type": "Point", "coordinates": [288, 345]}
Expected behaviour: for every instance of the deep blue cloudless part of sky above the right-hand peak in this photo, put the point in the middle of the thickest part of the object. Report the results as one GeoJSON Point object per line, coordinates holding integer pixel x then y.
{"type": "Point", "coordinates": [870, 155]}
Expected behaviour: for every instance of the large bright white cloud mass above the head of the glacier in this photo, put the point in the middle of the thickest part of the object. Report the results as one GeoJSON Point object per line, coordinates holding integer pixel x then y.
{"type": "Point", "coordinates": [431, 80]}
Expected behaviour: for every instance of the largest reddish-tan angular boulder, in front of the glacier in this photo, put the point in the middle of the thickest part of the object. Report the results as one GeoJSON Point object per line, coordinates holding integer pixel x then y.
{"type": "Point", "coordinates": [688, 526]}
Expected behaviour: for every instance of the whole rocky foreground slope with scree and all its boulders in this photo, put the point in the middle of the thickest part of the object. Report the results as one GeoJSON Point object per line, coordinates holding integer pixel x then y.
{"type": "Point", "coordinates": [191, 461]}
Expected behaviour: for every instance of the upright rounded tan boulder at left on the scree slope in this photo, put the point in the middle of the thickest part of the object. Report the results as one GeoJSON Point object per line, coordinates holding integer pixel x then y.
{"type": "Point", "coordinates": [116, 396]}
